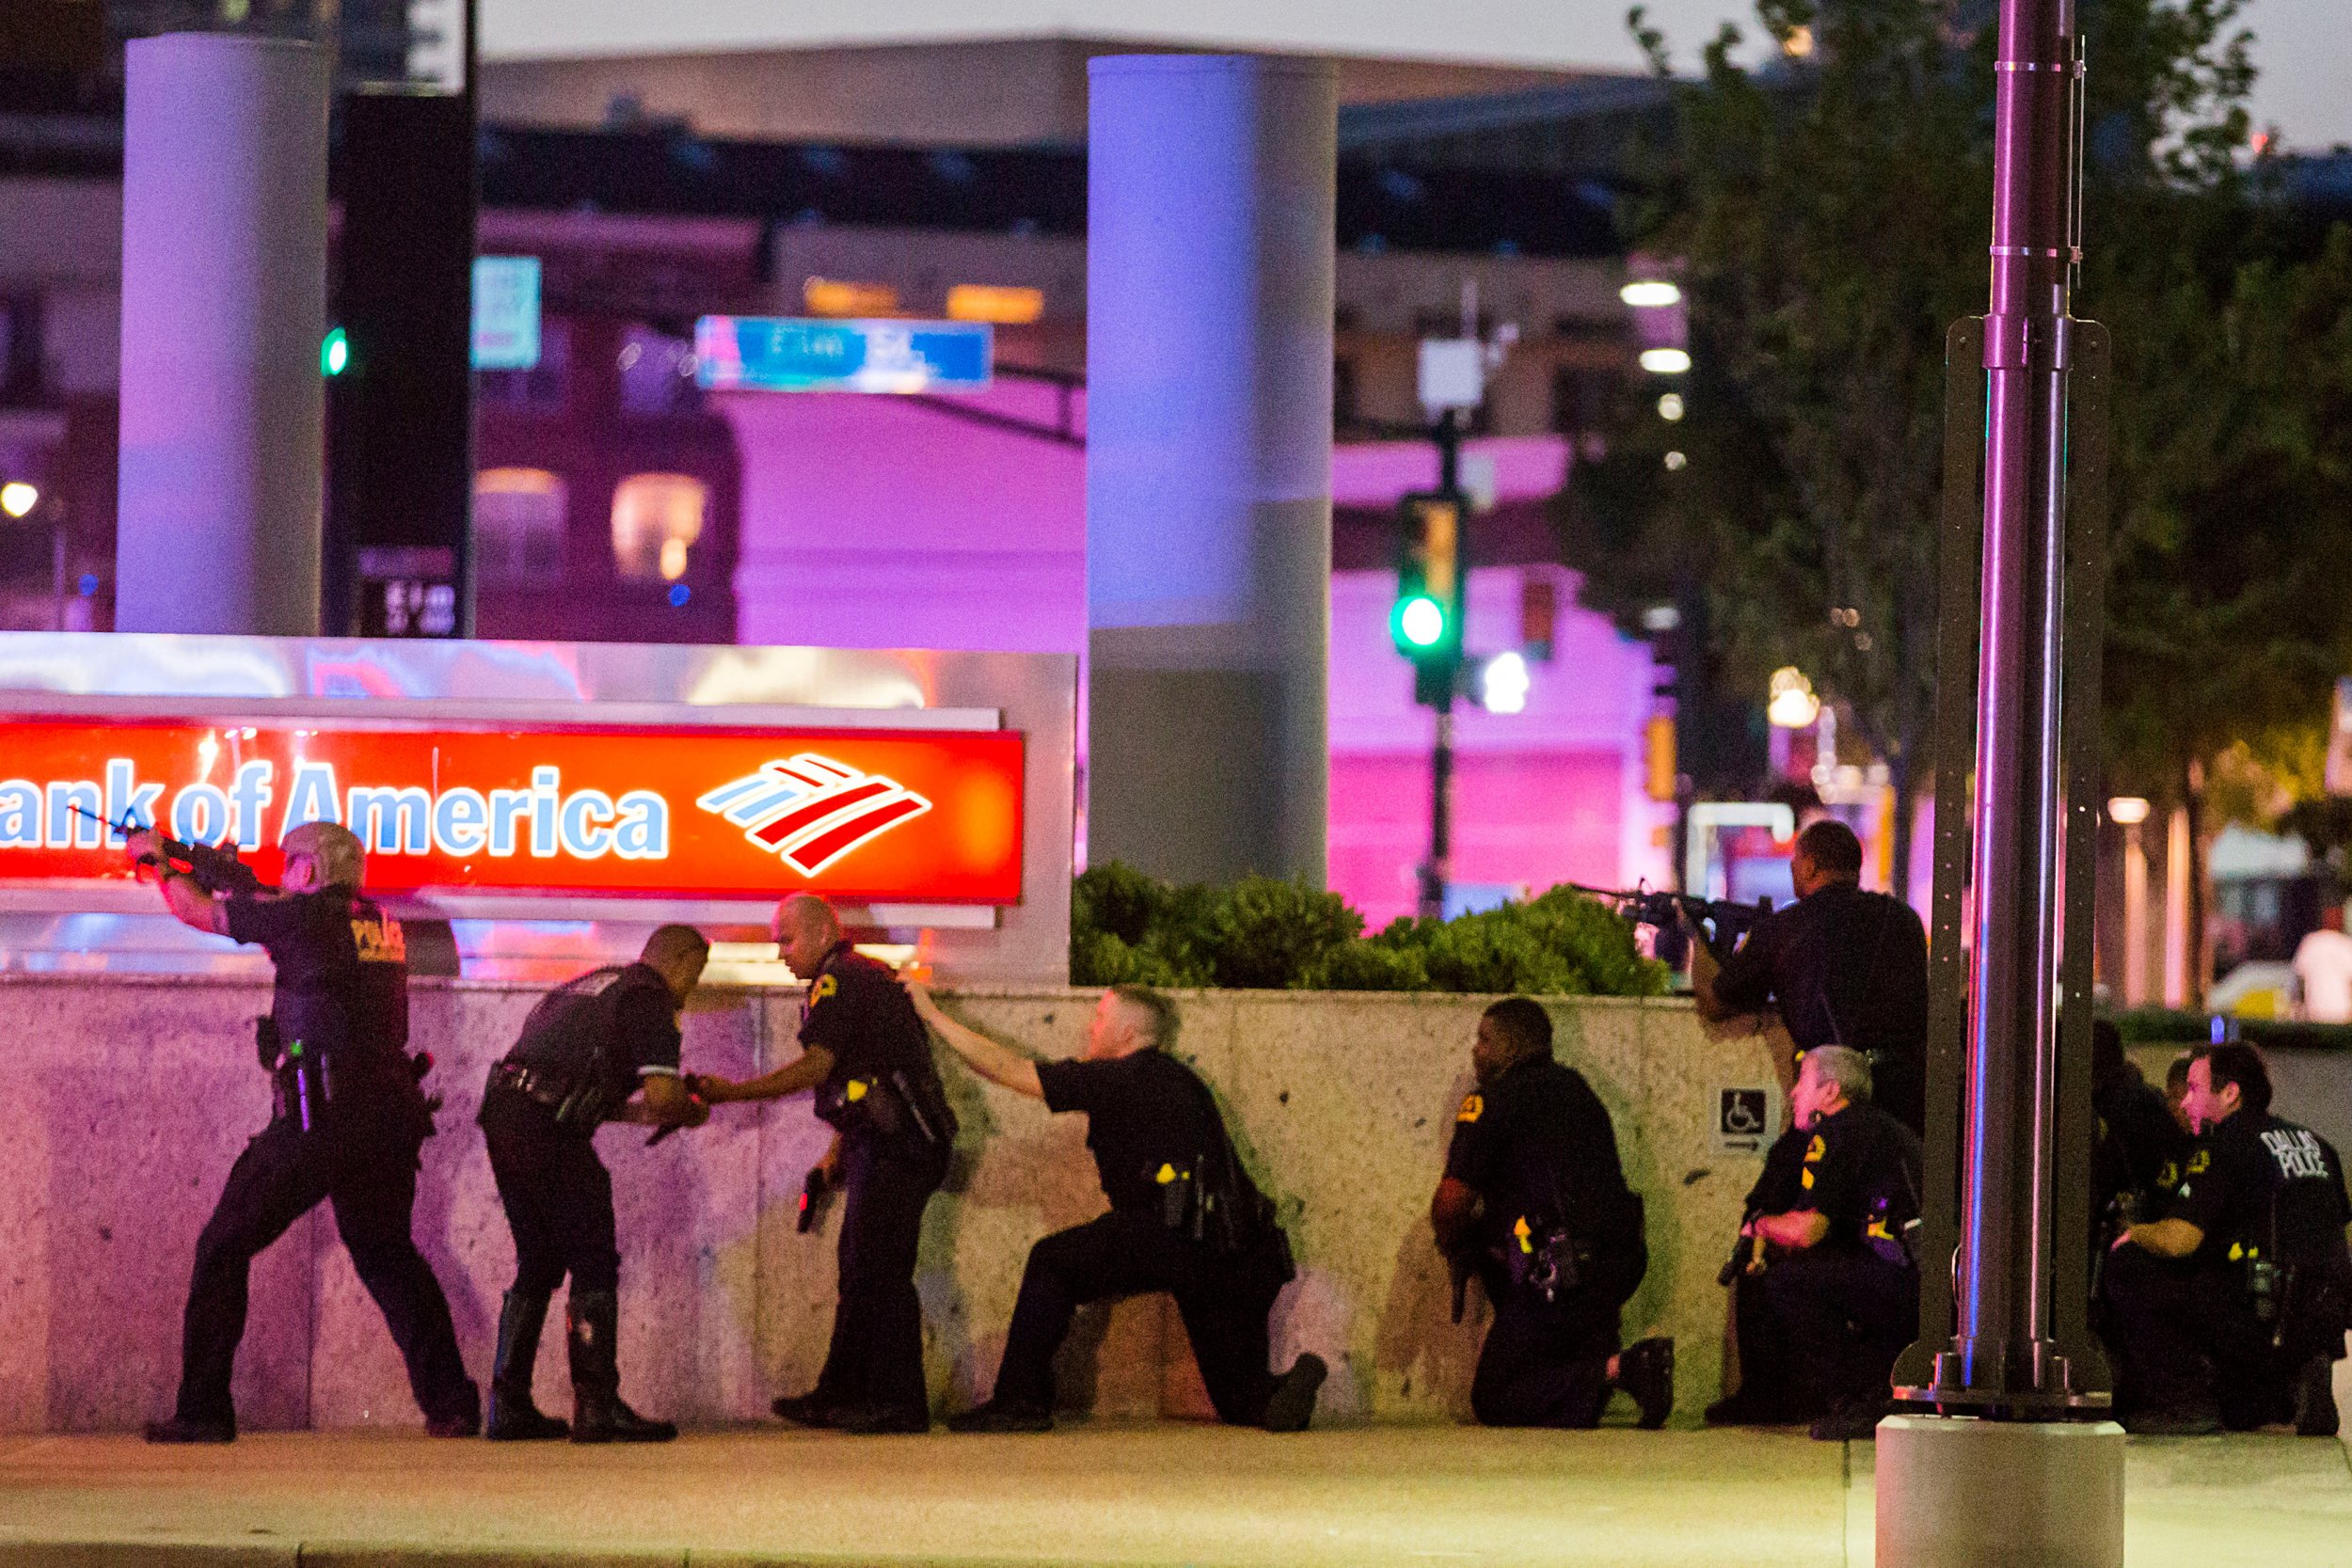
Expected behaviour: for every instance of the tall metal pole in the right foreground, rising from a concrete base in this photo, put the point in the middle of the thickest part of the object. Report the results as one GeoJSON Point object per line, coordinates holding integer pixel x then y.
{"type": "Point", "coordinates": [2005, 1351]}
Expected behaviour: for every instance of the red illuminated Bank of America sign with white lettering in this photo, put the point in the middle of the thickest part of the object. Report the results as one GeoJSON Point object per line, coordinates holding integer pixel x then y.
{"type": "Point", "coordinates": [636, 812]}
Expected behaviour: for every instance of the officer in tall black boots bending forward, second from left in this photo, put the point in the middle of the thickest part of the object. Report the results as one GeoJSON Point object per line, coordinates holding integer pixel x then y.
{"type": "Point", "coordinates": [584, 1052]}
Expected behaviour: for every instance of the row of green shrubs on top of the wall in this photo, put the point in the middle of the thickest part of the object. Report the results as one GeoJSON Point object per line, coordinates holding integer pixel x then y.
{"type": "Point", "coordinates": [1271, 934]}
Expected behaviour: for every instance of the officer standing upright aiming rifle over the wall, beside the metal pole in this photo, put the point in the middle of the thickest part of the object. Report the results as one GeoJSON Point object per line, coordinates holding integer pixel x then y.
{"type": "Point", "coordinates": [1845, 970]}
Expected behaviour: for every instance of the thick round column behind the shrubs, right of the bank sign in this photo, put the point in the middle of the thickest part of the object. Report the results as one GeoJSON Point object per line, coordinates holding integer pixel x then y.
{"type": "Point", "coordinates": [1210, 255]}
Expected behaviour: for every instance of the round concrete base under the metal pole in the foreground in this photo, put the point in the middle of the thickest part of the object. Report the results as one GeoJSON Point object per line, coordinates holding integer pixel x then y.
{"type": "Point", "coordinates": [1956, 1492]}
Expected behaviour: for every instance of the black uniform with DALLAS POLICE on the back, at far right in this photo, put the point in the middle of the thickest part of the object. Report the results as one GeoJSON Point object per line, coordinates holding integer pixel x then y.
{"type": "Point", "coordinates": [2186, 1332]}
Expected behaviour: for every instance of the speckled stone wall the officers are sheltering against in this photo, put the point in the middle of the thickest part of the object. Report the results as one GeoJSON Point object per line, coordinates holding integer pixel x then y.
{"type": "Point", "coordinates": [133, 1097]}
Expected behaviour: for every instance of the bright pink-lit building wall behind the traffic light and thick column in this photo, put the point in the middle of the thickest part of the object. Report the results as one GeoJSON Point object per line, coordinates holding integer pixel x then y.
{"type": "Point", "coordinates": [886, 523]}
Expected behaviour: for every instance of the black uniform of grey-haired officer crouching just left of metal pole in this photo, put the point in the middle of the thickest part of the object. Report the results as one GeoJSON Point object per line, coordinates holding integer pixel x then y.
{"type": "Point", "coordinates": [1829, 1320]}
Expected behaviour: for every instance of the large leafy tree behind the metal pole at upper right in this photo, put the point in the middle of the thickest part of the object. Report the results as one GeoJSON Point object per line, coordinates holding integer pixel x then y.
{"type": "Point", "coordinates": [1829, 215]}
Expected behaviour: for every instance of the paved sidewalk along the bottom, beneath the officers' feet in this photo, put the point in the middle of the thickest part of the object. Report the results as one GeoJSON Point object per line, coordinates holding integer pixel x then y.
{"type": "Point", "coordinates": [1128, 1496]}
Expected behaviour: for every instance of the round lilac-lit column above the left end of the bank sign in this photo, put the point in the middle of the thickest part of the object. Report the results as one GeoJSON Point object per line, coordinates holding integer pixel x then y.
{"type": "Point", "coordinates": [225, 304]}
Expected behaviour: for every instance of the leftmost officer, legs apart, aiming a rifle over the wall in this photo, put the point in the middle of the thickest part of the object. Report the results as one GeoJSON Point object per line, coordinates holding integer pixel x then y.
{"type": "Point", "coordinates": [349, 1125]}
